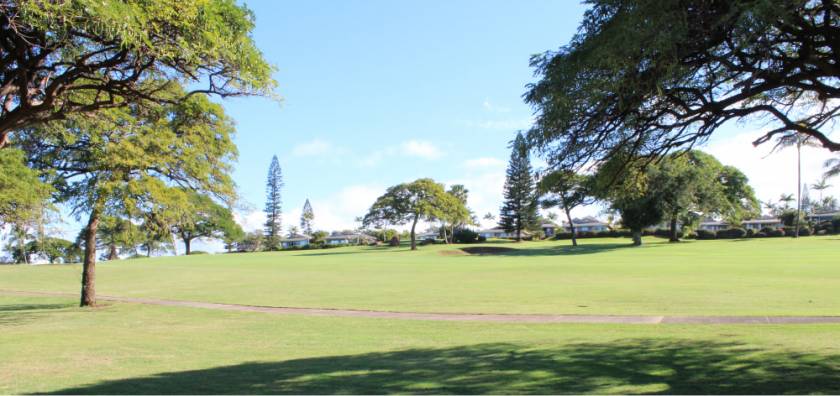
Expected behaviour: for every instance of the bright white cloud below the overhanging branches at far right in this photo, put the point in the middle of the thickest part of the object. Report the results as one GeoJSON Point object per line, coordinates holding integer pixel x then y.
{"type": "Point", "coordinates": [771, 174]}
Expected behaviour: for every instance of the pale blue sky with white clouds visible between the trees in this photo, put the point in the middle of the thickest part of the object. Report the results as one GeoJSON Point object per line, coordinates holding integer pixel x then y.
{"type": "Point", "coordinates": [380, 92]}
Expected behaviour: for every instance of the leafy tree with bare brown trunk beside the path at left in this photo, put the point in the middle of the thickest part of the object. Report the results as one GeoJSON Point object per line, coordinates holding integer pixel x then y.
{"type": "Point", "coordinates": [122, 161]}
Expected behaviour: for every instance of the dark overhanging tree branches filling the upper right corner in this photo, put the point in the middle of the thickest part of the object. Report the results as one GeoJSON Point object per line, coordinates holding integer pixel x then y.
{"type": "Point", "coordinates": [650, 76]}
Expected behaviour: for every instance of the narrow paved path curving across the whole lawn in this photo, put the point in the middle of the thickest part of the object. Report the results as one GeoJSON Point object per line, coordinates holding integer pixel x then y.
{"type": "Point", "coordinates": [468, 317]}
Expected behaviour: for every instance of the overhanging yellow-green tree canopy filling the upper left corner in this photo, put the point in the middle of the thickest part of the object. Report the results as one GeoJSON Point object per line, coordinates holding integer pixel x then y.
{"type": "Point", "coordinates": [61, 58]}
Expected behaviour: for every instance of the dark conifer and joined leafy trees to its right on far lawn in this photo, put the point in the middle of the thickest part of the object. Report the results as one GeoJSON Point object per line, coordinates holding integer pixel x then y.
{"type": "Point", "coordinates": [678, 188]}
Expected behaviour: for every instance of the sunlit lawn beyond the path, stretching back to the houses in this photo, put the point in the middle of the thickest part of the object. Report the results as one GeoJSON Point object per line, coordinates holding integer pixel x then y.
{"type": "Point", "coordinates": [779, 276]}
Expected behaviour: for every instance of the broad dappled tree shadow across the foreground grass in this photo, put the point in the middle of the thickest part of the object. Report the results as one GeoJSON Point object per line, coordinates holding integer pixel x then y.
{"type": "Point", "coordinates": [632, 366]}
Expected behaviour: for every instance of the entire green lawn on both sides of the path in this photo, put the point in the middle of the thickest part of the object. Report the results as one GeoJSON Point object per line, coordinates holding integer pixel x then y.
{"type": "Point", "coordinates": [48, 345]}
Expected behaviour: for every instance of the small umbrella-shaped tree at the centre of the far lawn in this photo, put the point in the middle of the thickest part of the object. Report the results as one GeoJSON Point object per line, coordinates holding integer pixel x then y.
{"type": "Point", "coordinates": [408, 203]}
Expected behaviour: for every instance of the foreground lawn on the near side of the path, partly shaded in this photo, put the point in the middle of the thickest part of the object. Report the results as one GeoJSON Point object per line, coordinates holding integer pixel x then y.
{"type": "Point", "coordinates": [48, 345]}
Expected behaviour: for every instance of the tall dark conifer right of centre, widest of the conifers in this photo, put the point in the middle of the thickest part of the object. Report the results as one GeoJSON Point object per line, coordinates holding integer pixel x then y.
{"type": "Point", "coordinates": [519, 210]}
